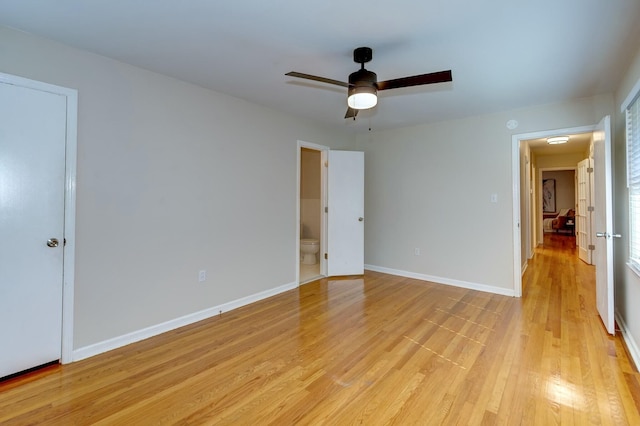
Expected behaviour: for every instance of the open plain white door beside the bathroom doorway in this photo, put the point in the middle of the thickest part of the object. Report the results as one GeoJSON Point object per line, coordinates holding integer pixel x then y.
{"type": "Point", "coordinates": [345, 247]}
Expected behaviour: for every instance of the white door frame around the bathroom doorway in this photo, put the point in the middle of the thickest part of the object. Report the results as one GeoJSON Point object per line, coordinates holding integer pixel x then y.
{"type": "Point", "coordinates": [324, 157]}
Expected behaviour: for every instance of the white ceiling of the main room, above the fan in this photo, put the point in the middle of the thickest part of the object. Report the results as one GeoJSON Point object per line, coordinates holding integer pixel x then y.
{"type": "Point", "coordinates": [504, 54]}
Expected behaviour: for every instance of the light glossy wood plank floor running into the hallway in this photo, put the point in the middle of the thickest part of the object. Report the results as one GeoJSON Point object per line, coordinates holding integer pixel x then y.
{"type": "Point", "coordinates": [373, 350]}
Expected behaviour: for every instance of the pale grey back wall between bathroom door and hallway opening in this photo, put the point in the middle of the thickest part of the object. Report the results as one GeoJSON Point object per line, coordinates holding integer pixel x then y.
{"type": "Point", "coordinates": [429, 187]}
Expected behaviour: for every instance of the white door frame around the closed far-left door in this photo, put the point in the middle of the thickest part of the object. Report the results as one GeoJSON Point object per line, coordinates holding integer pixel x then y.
{"type": "Point", "coordinates": [68, 263]}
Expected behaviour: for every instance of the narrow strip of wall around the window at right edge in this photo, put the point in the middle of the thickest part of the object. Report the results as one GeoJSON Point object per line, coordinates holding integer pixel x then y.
{"type": "Point", "coordinates": [627, 288]}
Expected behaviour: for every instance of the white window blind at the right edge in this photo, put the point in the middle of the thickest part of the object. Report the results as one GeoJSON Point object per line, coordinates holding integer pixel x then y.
{"type": "Point", "coordinates": [633, 170]}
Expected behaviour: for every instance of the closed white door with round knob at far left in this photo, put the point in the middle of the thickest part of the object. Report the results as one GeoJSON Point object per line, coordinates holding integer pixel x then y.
{"type": "Point", "coordinates": [32, 178]}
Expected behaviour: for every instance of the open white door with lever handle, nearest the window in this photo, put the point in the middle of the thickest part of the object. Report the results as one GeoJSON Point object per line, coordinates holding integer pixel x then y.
{"type": "Point", "coordinates": [603, 213]}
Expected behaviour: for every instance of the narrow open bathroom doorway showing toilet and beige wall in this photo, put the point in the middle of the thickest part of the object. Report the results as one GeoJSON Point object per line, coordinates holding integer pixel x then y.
{"type": "Point", "coordinates": [311, 232]}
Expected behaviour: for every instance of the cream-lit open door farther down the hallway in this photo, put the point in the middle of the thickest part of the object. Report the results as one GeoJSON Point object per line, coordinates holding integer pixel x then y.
{"type": "Point", "coordinates": [583, 214]}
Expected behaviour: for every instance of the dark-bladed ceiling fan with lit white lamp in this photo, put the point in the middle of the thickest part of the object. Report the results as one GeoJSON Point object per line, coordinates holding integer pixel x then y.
{"type": "Point", "coordinates": [363, 85]}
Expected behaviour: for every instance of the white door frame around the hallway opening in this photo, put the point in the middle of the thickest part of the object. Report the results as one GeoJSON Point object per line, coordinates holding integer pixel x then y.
{"type": "Point", "coordinates": [516, 141]}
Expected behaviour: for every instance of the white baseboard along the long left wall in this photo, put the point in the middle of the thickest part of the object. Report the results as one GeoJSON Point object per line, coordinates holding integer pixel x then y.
{"type": "Point", "coordinates": [145, 333]}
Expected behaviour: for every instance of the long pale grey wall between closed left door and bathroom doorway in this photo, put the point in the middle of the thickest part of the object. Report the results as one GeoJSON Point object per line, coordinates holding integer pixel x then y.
{"type": "Point", "coordinates": [172, 179]}
